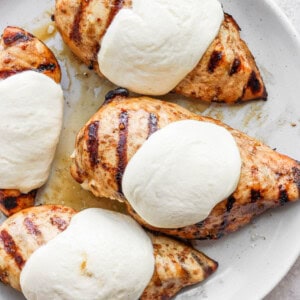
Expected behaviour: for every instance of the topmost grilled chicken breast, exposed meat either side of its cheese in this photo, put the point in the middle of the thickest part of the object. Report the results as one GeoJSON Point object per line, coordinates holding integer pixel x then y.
{"type": "Point", "coordinates": [226, 73]}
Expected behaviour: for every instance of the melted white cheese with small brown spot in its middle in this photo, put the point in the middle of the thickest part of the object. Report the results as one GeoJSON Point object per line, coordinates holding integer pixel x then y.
{"type": "Point", "coordinates": [101, 255]}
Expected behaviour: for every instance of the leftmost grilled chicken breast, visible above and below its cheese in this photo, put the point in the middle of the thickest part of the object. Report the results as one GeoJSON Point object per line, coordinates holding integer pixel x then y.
{"type": "Point", "coordinates": [21, 51]}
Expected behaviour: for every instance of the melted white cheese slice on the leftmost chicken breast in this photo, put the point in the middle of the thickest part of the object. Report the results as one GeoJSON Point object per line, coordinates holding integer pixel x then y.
{"type": "Point", "coordinates": [31, 112]}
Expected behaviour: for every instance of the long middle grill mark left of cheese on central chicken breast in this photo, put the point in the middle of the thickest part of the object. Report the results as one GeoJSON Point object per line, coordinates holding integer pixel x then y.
{"type": "Point", "coordinates": [122, 148]}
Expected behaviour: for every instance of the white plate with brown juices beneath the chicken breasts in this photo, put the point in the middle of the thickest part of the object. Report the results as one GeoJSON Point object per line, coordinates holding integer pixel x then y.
{"type": "Point", "coordinates": [253, 260]}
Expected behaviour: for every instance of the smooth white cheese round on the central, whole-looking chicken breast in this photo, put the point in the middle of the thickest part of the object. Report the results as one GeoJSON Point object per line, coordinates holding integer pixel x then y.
{"type": "Point", "coordinates": [181, 172]}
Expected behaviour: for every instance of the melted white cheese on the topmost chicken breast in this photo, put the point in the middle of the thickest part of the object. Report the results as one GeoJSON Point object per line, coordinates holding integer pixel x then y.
{"type": "Point", "coordinates": [152, 46]}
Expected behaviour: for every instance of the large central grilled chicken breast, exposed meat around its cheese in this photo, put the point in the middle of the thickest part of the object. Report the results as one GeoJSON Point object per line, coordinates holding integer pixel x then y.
{"type": "Point", "coordinates": [114, 134]}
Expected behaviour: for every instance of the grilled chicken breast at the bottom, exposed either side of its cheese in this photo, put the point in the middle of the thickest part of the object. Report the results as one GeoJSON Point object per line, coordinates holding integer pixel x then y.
{"type": "Point", "coordinates": [176, 265]}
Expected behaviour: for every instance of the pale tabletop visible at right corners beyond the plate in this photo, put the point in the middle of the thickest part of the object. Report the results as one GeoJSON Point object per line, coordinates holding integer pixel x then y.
{"type": "Point", "coordinates": [289, 287]}
